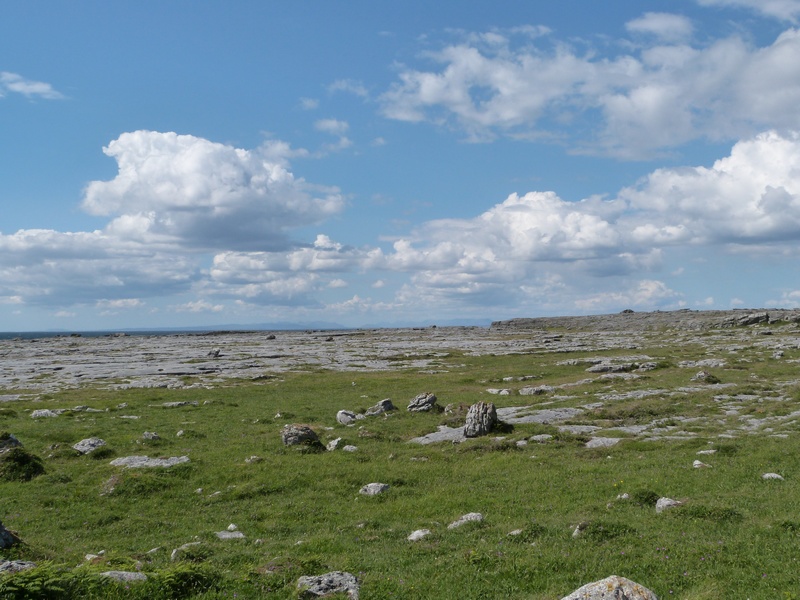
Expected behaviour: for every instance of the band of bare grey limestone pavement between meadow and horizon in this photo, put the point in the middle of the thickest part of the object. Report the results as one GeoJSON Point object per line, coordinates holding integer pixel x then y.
{"type": "Point", "coordinates": [31, 367]}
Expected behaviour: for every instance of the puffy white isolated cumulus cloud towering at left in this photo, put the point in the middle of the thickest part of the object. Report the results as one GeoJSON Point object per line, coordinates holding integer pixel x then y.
{"type": "Point", "coordinates": [196, 193]}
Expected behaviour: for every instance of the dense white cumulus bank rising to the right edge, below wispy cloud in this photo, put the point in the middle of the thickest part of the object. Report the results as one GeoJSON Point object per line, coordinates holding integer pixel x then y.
{"type": "Point", "coordinates": [750, 199]}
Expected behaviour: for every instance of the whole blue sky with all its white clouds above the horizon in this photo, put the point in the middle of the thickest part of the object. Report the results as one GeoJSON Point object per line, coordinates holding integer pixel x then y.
{"type": "Point", "coordinates": [168, 164]}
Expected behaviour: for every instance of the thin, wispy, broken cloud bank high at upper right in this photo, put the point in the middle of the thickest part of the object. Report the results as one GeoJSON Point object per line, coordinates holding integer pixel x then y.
{"type": "Point", "coordinates": [658, 96]}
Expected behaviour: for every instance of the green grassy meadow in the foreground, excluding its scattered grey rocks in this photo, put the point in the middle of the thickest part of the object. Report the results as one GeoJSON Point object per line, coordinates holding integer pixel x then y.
{"type": "Point", "coordinates": [736, 536]}
